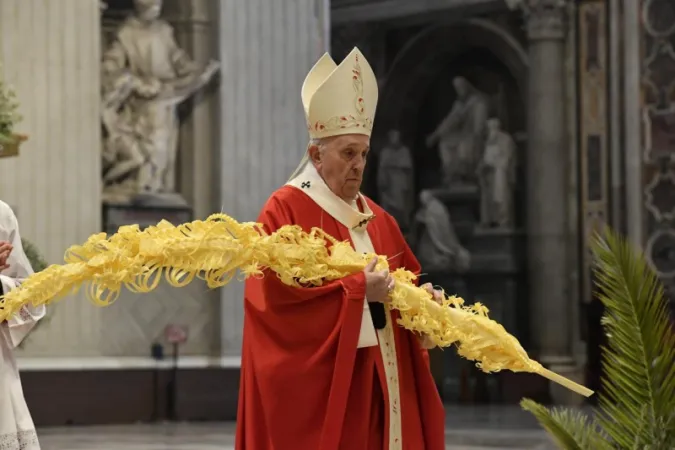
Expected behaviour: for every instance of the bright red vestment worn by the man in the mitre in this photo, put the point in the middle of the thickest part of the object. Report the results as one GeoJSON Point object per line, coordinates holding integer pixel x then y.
{"type": "Point", "coordinates": [304, 383]}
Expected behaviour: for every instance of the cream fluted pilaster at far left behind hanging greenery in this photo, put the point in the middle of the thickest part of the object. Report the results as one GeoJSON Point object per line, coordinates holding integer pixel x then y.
{"type": "Point", "coordinates": [51, 54]}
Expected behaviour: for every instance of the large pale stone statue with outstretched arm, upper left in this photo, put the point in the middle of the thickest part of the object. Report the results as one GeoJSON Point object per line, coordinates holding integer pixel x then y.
{"type": "Point", "coordinates": [146, 75]}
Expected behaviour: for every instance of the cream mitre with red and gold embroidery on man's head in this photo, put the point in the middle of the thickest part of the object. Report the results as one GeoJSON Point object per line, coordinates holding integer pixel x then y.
{"type": "Point", "coordinates": [340, 99]}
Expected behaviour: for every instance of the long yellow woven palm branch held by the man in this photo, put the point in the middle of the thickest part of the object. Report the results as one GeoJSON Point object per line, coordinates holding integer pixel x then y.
{"type": "Point", "coordinates": [217, 249]}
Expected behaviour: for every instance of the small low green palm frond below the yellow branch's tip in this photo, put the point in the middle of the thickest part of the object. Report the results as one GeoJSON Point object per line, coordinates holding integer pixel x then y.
{"type": "Point", "coordinates": [571, 430]}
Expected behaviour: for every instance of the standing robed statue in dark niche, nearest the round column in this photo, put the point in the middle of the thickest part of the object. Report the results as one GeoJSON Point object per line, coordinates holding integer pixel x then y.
{"type": "Point", "coordinates": [496, 175]}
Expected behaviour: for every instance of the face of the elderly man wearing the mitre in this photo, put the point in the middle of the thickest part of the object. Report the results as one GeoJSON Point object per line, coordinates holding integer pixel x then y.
{"type": "Point", "coordinates": [340, 161]}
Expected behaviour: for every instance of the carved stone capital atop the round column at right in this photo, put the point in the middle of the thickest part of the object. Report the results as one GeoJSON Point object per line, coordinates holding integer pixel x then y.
{"type": "Point", "coordinates": [545, 19]}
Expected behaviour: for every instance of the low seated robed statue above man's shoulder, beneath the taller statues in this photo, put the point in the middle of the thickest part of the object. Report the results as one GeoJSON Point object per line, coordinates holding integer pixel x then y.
{"type": "Point", "coordinates": [436, 243]}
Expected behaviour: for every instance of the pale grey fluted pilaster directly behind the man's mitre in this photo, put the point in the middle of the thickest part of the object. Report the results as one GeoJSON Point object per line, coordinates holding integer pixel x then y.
{"type": "Point", "coordinates": [266, 47]}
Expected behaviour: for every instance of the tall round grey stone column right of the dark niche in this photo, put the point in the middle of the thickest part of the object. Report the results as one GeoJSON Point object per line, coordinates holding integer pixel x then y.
{"type": "Point", "coordinates": [548, 168]}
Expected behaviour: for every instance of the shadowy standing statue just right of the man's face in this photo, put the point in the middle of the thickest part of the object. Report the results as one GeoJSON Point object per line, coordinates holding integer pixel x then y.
{"type": "Point", "coordinates": [395, 179]}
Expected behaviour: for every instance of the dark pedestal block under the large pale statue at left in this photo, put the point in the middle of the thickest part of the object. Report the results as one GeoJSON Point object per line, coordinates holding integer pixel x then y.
{"type": "Point", "coordinates": [116, 215]}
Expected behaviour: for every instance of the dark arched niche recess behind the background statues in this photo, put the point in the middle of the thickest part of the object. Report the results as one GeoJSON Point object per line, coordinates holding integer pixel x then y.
{"type": "Point", "coordinates": [418, 92]}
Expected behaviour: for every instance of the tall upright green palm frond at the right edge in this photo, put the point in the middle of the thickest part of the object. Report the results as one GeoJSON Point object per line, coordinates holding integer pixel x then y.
{"type": "Point", "coordinates": [639, 369]}
